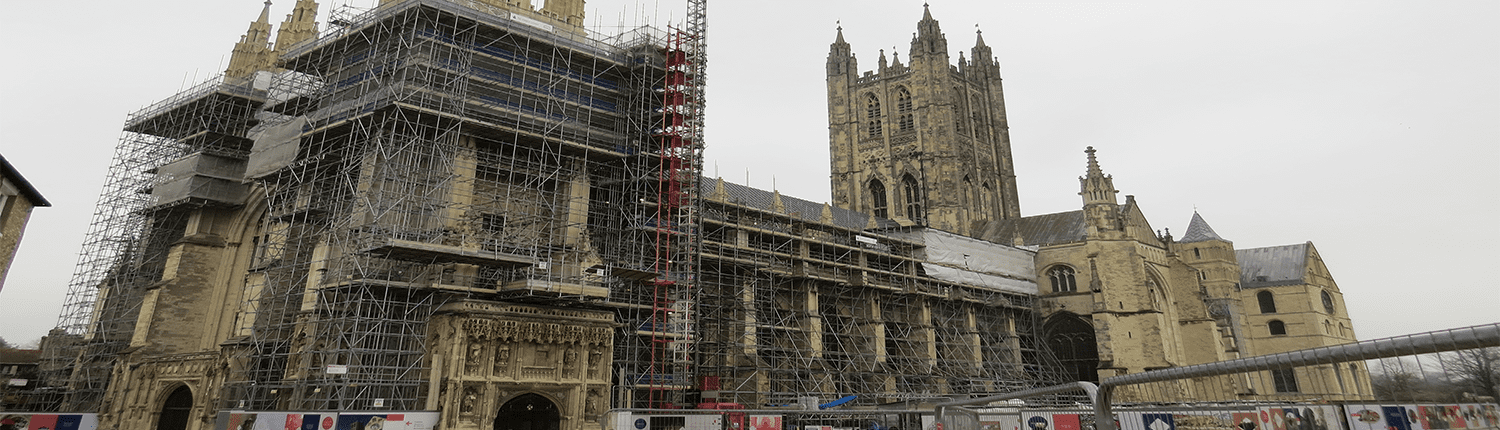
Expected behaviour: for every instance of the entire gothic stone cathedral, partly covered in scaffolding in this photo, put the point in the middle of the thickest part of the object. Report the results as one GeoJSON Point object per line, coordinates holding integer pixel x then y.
{"type": "Point", "coordinates": [484, 212]}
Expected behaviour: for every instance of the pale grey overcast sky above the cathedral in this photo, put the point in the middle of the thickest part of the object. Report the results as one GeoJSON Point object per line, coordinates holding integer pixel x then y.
{"type": "Point", "coordinates": [1367, 128]}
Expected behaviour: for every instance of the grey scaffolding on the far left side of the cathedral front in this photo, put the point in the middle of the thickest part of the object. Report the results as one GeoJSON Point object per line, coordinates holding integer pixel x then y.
{"type": "Point", "coordinates": [170, 157]}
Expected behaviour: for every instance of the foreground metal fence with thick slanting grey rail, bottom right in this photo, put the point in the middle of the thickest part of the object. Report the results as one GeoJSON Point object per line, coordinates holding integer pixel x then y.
{"type": "Point", "coordinates": [1427, 381]}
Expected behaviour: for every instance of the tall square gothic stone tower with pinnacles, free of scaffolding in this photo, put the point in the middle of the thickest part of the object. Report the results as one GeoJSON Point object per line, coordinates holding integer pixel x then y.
{"type": "Point", "coordinates": [922, 145]}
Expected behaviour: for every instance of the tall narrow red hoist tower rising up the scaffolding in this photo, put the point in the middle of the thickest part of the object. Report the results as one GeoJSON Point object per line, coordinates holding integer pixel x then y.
{"type": "Point", "coordinates": [677, 234]}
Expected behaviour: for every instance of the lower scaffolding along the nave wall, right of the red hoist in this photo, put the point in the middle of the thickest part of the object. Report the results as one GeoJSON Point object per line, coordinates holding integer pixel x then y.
{"type": "Point", "coordinates": [809, 300]}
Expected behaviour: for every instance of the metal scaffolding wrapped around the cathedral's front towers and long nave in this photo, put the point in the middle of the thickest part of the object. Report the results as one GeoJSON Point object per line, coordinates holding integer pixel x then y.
{"type": "Point", "coordinates": [431, 152]}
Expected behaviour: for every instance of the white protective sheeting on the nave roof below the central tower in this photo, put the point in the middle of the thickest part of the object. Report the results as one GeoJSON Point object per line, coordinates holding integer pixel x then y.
{"type": "Point", "coordinates": [971, 261]}
